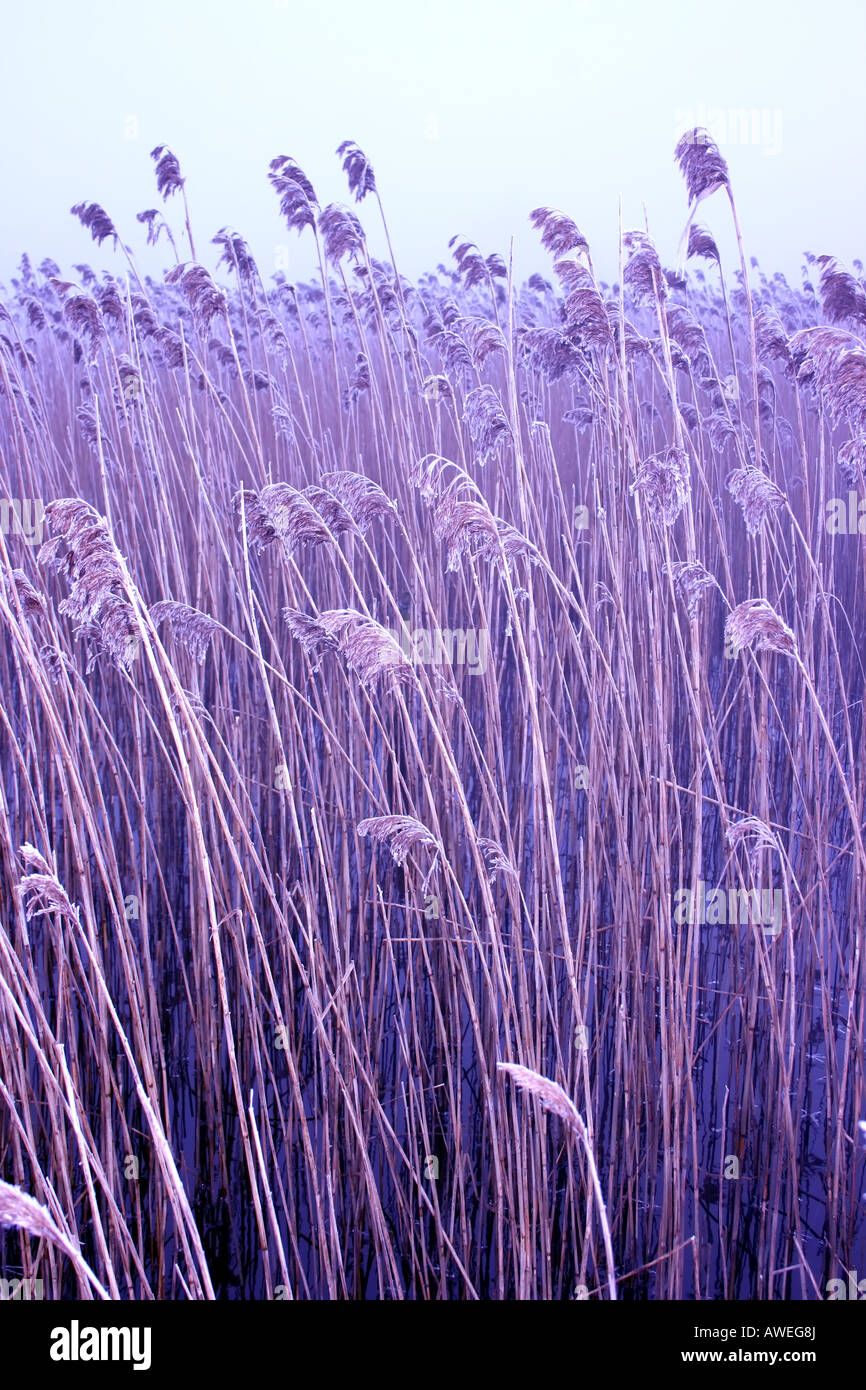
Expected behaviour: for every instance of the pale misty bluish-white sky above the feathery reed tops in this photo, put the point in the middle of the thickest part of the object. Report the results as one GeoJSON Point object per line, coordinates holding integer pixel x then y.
{"type": "Point", "coordinates": [472, 112]}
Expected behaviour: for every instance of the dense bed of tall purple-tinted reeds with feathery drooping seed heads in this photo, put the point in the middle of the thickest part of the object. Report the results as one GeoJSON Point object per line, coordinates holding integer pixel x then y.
{"type": "Point", "coordinates": [397, 658]}
